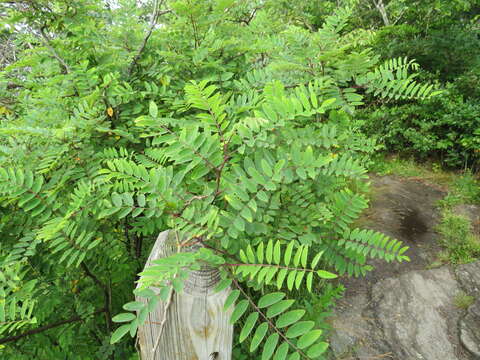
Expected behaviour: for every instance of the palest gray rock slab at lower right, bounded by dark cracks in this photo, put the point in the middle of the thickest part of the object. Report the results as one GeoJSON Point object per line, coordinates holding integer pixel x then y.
{"type": "Point", "coordinates": [417, 315]}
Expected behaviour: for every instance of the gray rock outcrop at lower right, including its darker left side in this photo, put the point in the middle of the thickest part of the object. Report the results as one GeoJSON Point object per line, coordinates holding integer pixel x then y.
{"type": "Point", "coordinates": [412, 317]}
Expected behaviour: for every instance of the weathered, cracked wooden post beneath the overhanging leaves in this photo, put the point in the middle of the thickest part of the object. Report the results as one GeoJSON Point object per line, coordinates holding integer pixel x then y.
{"type": "Point", "coordinates": [196, 325]}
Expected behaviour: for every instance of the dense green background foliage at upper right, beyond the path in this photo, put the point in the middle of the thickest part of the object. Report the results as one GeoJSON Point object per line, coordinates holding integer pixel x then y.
{"type": "Point", "coordinates": [443, 37]}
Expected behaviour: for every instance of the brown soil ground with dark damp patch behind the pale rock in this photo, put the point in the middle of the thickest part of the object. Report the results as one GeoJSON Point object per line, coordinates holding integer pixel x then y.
{"type": "Point", "coordinates": [404, 209]}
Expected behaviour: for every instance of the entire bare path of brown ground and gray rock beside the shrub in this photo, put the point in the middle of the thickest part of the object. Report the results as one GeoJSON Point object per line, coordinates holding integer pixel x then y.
{"type": "Point", "coordinates": [407, 311]}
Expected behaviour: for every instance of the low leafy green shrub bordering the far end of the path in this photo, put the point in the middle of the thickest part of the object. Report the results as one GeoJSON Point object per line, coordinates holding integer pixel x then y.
{"type": "Point", "coordinates": [445, 127]}
